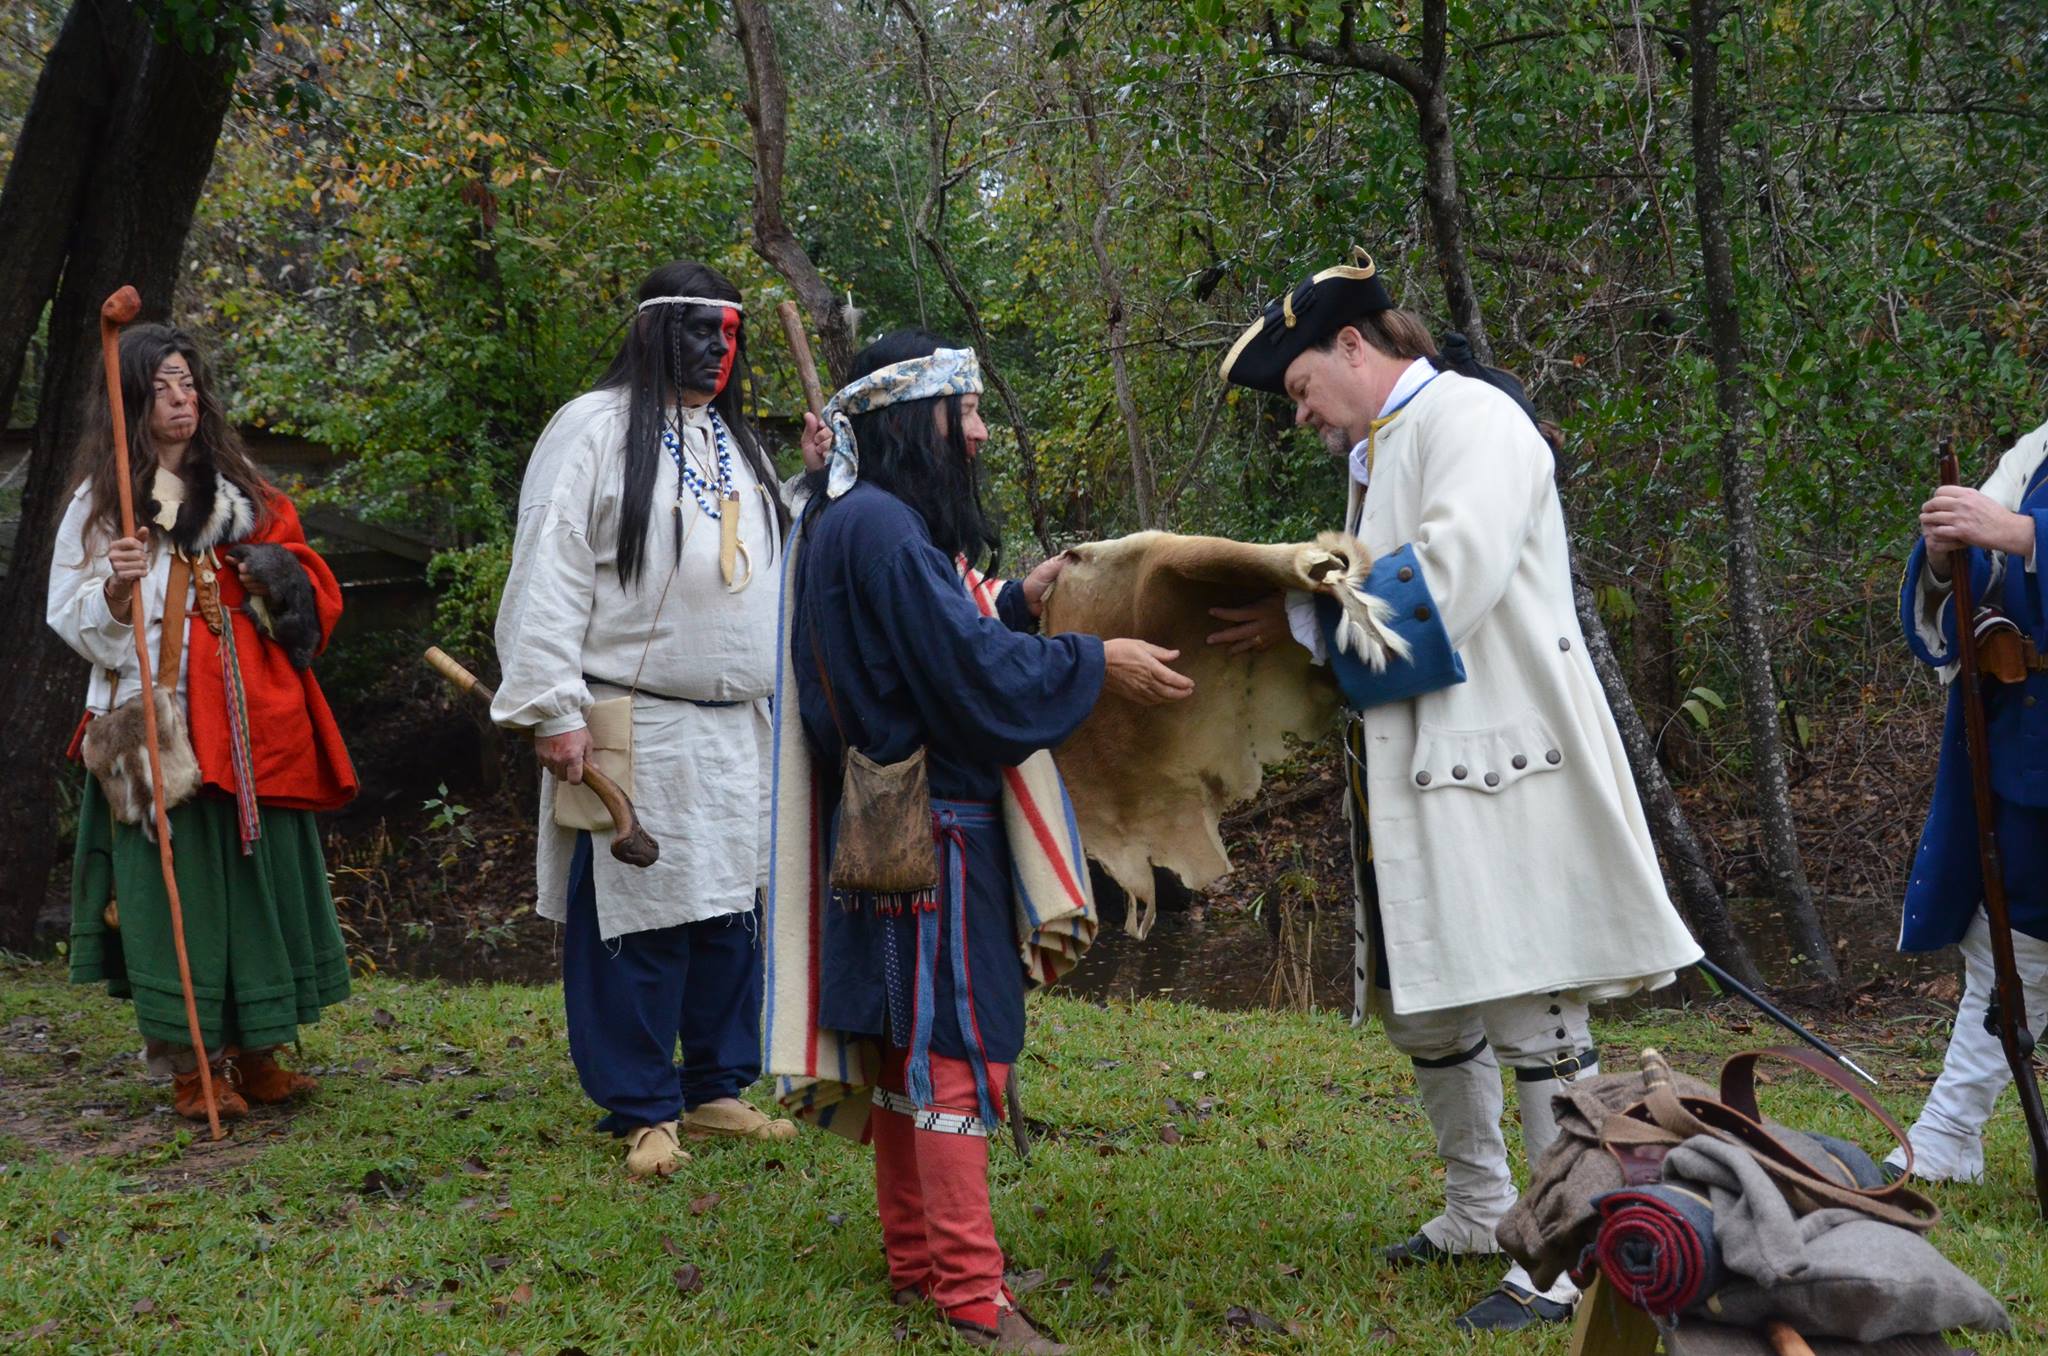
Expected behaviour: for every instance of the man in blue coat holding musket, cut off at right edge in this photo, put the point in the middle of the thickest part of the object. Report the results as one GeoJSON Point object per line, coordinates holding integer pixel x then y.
{"type": "Point", "coordinates": [2004, 527]}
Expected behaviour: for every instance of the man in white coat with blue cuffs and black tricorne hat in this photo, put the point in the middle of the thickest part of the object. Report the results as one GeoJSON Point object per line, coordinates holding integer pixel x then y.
{"type": "Point", "coordinates": [1506, 874]}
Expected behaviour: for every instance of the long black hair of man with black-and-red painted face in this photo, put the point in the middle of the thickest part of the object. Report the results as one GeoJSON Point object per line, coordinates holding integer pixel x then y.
{"type": "Point", "coordinates": [650, 370]}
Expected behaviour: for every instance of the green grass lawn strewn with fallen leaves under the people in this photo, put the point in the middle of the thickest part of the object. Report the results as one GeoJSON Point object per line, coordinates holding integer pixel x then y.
{"type": "Point", "coordinates": [1218, 1181]}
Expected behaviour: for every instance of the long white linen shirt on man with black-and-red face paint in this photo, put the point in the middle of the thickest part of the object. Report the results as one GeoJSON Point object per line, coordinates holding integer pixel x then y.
{"type": "Point", "coordinates": [570, 634]}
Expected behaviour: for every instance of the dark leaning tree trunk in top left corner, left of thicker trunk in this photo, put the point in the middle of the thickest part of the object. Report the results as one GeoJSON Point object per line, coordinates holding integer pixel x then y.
{"type": "Point", "coordinates": [48, 177]}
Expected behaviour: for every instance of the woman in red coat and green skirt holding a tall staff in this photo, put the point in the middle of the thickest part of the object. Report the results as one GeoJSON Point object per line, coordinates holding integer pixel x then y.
{"type": "Point", "coordinates": [249, 745]}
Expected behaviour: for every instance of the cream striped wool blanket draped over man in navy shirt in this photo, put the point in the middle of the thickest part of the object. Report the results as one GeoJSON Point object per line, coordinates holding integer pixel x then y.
{"type": "Point", "coordinates": [828, 1076]}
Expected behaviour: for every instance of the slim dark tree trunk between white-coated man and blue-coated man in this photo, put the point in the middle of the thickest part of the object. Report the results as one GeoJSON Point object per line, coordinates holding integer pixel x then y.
{"type": "Point", "coordinates": [1785, 872]}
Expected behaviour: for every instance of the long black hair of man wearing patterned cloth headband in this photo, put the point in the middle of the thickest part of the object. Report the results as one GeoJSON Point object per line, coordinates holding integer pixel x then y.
{"type": "Point", "coordinates": [906, 454]}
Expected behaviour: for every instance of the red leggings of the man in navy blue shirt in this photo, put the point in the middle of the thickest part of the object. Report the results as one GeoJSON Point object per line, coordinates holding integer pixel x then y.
{"type": "Point", "coordinates": [933, 1195]}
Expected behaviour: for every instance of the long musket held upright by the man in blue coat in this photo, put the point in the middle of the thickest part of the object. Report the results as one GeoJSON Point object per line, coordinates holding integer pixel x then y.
{"type": "Point", "coordinates": [2008, 1017]}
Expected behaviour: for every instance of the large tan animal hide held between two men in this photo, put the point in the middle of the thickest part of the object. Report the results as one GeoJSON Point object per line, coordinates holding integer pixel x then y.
{"type": "Point", "coordinates": [1152, 783]}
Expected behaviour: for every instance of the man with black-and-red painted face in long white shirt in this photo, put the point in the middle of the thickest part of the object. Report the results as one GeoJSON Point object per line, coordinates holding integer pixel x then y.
{"type": "Point", "coordinates": [636, 636]}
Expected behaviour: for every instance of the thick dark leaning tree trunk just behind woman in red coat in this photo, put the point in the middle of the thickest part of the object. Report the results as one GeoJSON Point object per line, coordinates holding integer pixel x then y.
{"type": "Point", "coordinates": [144, 179]}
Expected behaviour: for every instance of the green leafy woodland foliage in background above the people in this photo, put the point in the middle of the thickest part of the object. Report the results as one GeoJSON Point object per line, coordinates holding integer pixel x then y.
{"type": "Point", "coordinates": [427, 220]}
